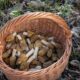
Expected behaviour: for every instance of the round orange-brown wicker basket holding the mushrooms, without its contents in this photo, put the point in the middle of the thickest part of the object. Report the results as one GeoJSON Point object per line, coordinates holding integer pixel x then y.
{"type": "Point", "coordinates": [44, 23]}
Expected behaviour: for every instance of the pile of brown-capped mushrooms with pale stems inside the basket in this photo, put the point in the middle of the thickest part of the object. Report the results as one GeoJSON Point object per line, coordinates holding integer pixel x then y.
{"type": "Point", "coordinates": [30, 51]}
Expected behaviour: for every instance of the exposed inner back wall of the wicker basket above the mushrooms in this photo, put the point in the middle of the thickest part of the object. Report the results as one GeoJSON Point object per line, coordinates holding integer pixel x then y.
{"type": "Point", "coordinates": [42, 26]}
